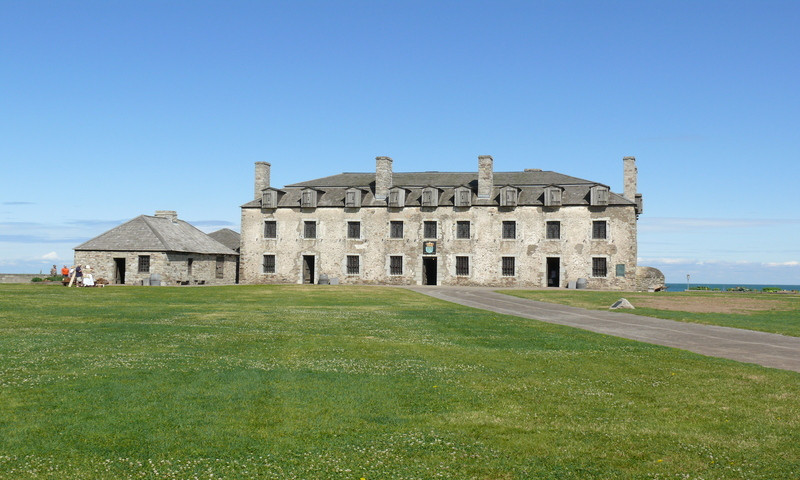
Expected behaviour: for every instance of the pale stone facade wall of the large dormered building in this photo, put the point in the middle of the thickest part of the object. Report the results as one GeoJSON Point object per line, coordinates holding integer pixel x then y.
{"type": "Point", "coordinates": [575, 249]}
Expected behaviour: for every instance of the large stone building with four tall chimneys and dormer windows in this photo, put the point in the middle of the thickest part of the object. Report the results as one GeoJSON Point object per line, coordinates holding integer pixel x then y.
{"type": "Point", "coordinates": [532, 228]}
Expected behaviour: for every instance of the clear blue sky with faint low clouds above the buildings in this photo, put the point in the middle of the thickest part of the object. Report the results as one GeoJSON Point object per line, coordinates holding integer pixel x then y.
{"type": "Point", "coordinates": [115, 109]}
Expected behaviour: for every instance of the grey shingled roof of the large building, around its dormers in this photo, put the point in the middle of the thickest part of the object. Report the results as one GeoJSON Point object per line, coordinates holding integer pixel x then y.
{"type": "Point", "coordinates": [531, 184]}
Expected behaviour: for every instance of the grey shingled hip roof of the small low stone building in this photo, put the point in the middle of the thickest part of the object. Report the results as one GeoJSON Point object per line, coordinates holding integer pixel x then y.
{"type": "Point", "coordinates": [156, 234]}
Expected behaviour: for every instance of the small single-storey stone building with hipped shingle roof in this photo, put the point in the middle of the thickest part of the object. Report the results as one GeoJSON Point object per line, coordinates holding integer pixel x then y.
{"type": "Point", "coordinates": [158, 246]}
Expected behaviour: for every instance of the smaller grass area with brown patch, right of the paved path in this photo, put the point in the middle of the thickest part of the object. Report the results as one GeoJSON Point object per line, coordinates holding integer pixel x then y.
{"type": "Point", "coordinates": [773, 313]}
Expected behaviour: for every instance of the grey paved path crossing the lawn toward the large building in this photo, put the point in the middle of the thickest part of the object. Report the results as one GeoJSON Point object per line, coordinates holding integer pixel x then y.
{"type": "Point", "coordinates": [767, 349]}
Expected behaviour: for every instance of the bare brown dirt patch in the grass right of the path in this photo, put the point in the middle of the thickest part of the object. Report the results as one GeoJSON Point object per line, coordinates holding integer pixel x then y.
{"type": "Point", "coordinates": [710, 304]}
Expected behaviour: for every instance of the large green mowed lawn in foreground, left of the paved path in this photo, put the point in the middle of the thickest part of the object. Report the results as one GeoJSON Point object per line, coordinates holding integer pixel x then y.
{"type": "Point", "coordinates": [374, 383]}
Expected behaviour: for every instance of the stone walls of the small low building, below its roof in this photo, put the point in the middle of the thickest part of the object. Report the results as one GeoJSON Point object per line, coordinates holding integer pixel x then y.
{"type": "Point", "coordinates": [173, 267]}
